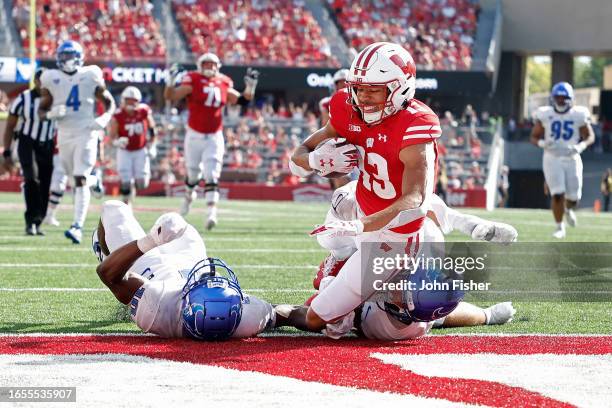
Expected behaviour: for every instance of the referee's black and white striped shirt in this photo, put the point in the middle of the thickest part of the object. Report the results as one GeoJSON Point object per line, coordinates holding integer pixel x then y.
{"type": "Point", "coordinates": [25, 107]}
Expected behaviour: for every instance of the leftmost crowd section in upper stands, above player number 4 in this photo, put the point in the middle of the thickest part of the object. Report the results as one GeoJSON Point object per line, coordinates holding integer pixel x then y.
{"type": "Point", "coordinates": [108, 30]}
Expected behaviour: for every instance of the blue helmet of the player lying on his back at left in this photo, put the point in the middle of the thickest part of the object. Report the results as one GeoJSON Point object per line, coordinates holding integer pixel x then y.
{"type": "Point", "coordinates": [212, 304]}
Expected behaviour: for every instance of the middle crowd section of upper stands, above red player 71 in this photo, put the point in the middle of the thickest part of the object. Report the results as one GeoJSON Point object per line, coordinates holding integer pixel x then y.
{"type": "Point", "coordinates": [257, 32]}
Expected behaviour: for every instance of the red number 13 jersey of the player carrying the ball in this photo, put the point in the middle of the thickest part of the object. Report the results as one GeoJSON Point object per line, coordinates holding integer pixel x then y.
{"type": "Point", "coordinates": [381, 170]}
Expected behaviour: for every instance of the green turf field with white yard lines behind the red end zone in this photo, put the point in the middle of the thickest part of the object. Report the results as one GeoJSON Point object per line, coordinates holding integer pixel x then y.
{"type": "Point", "coordinates": [266, 243]}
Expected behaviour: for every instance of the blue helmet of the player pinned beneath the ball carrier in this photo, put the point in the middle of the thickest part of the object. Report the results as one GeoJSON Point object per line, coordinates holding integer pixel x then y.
{"type": "Point", "coordinates": [421, 305]}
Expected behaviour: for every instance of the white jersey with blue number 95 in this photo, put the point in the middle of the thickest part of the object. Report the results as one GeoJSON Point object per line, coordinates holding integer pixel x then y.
{"type": "Point", "coordinates": [562, 129]}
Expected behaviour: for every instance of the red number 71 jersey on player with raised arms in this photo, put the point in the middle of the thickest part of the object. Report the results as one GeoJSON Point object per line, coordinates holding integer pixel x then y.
{"type": "Point", "coordinates": [206, 101]}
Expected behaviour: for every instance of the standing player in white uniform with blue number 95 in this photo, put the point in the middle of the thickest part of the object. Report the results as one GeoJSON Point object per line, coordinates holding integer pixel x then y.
{"type": "Point", "coordinates": [564, 131]}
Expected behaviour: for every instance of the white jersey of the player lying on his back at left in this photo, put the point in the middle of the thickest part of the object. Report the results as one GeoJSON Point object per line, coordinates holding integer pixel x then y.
{"type": "Point", "coordinates": [156, 306]}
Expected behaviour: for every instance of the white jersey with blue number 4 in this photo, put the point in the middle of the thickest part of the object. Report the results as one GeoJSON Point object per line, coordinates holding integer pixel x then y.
{"type": "Point", "coordinates": [77, 92]}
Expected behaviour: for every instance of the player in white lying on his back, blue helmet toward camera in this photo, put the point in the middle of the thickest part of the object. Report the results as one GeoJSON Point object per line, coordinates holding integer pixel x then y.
{"type": "Point", "coordinates": [171, 287]}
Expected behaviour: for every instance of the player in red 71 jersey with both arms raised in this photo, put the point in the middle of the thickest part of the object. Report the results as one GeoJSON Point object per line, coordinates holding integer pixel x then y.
{"type": "Point", "coordinates": [207, 91]}
